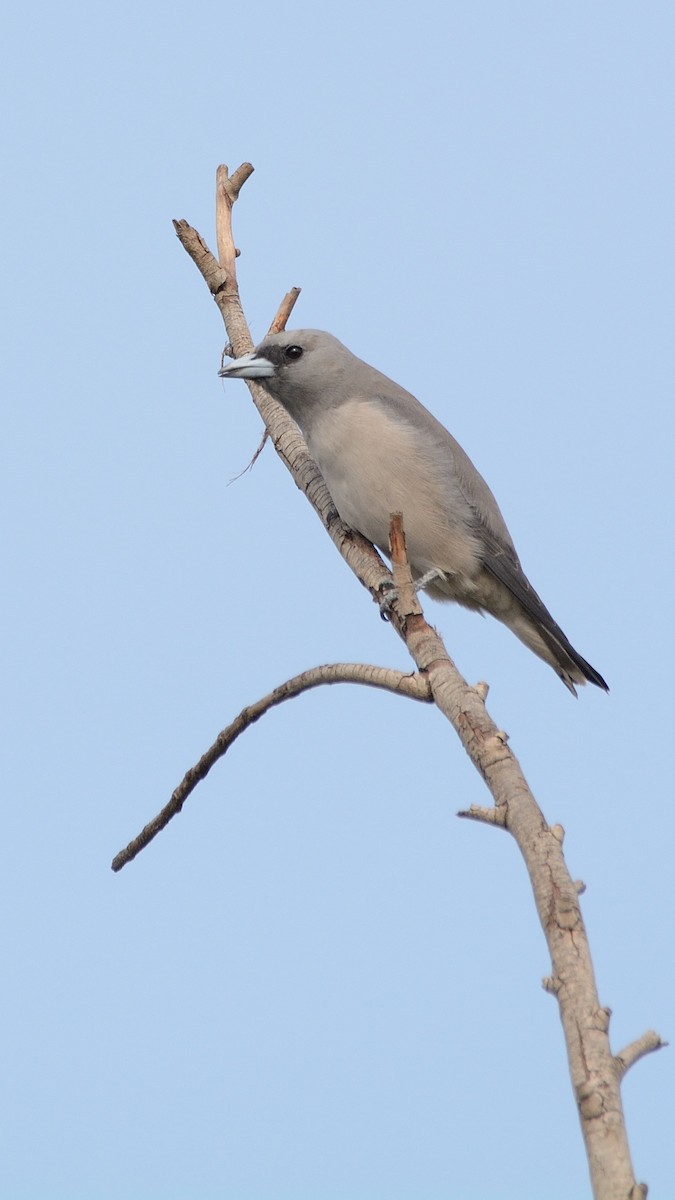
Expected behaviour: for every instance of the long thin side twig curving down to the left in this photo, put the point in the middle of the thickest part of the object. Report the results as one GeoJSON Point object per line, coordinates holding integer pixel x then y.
{"type": "Point", "coordinates": [414, 687]}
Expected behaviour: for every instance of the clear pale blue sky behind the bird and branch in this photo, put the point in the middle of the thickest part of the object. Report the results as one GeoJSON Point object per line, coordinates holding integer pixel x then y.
{"type": "Point", "coordinates": [319, 985]}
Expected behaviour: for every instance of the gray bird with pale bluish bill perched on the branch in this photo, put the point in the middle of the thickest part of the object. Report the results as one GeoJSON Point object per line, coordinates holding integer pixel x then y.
{"type": "Point", "coordinates": [381, 452]}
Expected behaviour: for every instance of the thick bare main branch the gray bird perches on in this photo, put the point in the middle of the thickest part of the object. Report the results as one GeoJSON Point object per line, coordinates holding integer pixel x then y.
{"type": "Point", "coordinates": [593, 1066]}
